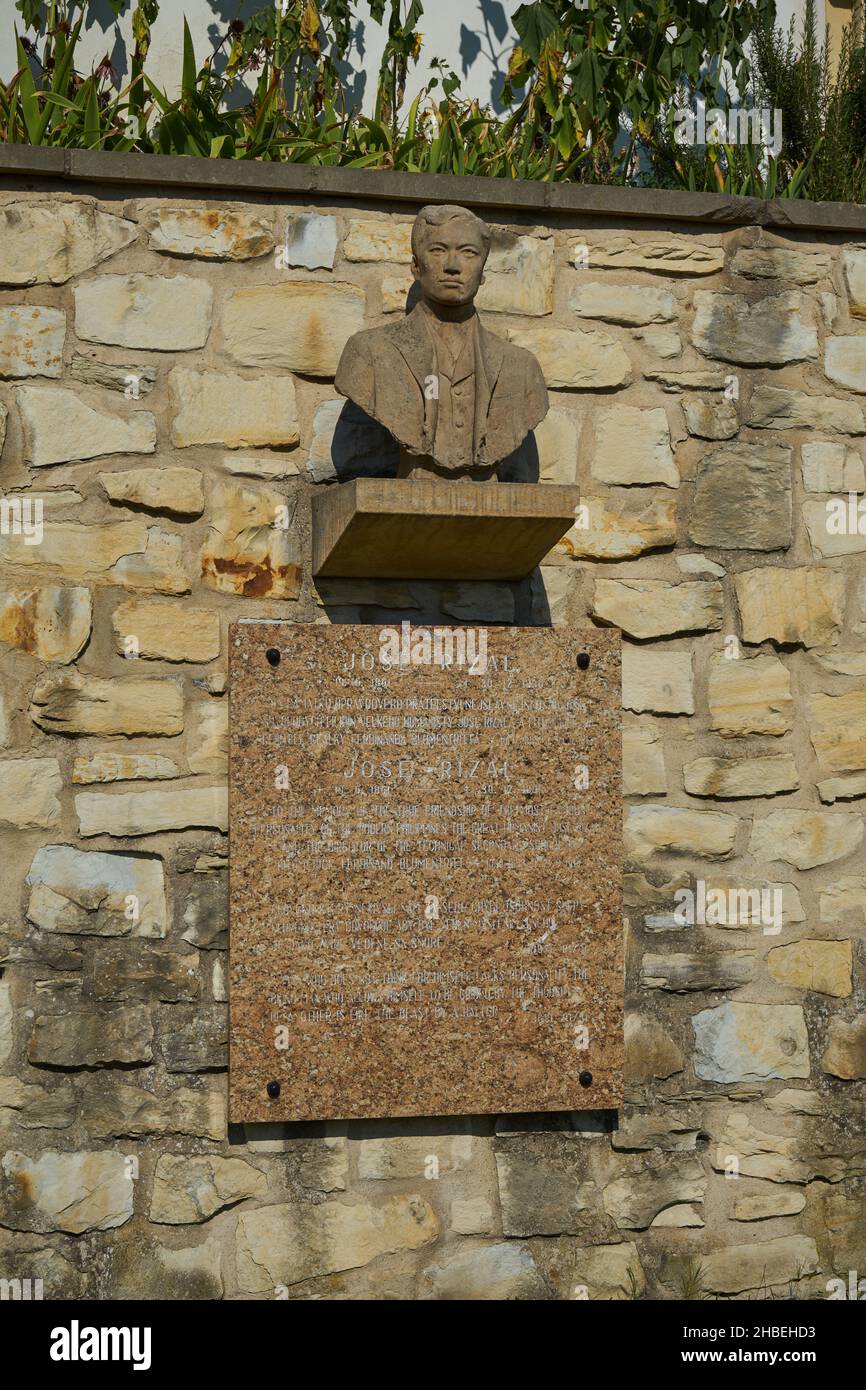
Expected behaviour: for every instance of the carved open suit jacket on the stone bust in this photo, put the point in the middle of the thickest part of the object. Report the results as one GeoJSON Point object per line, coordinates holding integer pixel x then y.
{"type": "Point", "coordinates": [384, 372]}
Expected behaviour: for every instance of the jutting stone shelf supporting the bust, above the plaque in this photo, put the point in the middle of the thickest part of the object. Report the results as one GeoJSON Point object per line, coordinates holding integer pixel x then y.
{"type": "Point", "coordinates": [408, 529]}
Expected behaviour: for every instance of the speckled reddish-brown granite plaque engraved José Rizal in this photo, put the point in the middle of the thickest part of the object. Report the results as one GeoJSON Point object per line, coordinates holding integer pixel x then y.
{"type": "Point", "coordinates": [426, 871]}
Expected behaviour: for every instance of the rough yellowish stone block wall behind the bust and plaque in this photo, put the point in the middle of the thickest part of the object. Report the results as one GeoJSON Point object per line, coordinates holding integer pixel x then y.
{"type": "Point", "coordinates": [168, 366]}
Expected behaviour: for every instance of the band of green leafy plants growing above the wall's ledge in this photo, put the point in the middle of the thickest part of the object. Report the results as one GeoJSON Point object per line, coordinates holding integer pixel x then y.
{"type": "Point", "coordinates": [591, 94]}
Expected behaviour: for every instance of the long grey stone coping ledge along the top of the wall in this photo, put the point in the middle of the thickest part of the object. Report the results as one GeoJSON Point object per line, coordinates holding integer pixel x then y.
{"type": "Point", "coordinates": [255, 177]}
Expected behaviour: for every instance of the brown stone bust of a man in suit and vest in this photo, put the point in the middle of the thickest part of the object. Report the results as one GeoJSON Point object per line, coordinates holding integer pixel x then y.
{"type": "Point", "coordinates": [458, 400]}
